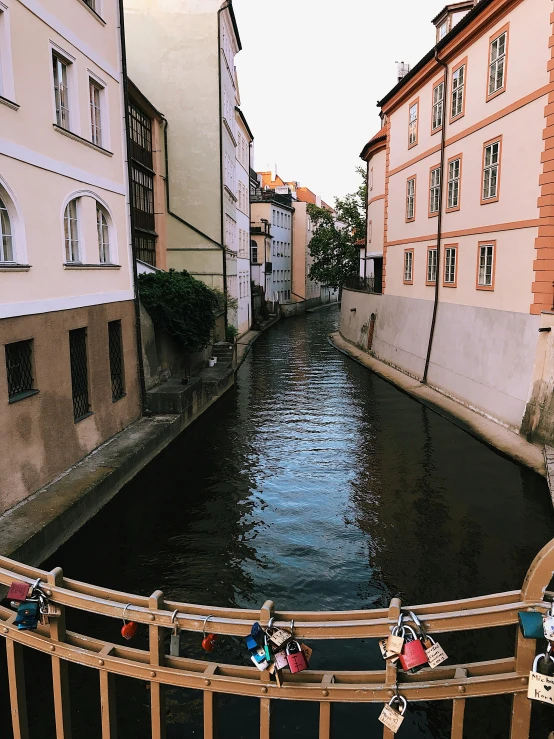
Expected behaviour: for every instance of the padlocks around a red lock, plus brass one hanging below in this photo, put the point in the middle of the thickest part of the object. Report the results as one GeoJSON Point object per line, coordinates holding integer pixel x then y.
{"type": "Point", "coordinates": [413, 649]}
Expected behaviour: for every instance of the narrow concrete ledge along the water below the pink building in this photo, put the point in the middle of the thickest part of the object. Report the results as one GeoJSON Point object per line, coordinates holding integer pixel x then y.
{"type": "Point", "coordinates": [505, 441]}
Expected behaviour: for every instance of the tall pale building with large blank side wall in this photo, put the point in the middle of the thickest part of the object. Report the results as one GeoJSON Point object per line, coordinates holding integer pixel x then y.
{"type": "Point", "coordinates": [196, 88]}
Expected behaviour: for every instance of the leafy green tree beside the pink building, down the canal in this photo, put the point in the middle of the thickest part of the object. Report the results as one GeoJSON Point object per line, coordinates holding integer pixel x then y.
{"type": "Point", "coordinates": [335, 244]}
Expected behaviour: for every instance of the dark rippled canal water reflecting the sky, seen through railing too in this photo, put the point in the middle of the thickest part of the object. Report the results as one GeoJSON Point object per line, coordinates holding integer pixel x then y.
{"type": "Point", "coordinates": [320, 486]}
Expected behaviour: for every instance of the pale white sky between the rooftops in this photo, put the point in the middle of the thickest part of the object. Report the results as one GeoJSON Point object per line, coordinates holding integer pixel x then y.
{"type": "Point", "coordinates": [310, 74]}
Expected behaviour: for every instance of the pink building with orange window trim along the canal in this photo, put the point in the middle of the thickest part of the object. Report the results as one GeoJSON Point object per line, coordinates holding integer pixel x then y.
{"type": "Point", "coordinates": [461, 210]}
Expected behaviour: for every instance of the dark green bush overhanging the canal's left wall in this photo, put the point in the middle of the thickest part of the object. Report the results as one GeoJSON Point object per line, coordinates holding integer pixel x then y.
{"type": "Point", "coordinates": [181, 305]}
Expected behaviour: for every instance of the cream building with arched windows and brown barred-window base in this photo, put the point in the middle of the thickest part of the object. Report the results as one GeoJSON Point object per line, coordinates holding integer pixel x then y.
{"type": "Point", "coordinates": [67, 312]}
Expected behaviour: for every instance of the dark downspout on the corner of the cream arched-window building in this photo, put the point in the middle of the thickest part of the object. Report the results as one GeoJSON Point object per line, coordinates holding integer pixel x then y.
{"type": "Point", "coordinates": [140, 365]}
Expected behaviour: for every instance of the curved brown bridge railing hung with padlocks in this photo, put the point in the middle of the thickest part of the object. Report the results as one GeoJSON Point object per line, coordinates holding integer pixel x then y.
{"type": "Point", "coordinates": [455, 683]}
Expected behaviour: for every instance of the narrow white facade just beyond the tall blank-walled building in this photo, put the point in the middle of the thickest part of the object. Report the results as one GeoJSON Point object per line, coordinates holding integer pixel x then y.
{"type": "Point", "coordinates": [242, 319]}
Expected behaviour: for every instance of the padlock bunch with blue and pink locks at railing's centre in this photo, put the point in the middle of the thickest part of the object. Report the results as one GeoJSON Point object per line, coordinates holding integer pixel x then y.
{"type": "Point", "coordinates": [275, 649]}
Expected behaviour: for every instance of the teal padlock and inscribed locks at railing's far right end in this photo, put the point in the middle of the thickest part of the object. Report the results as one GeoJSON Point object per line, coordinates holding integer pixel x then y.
{"type": "Point", "coordinates": [534, 625]}
